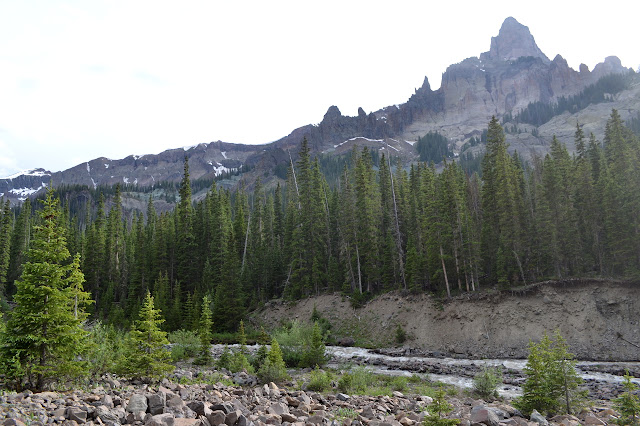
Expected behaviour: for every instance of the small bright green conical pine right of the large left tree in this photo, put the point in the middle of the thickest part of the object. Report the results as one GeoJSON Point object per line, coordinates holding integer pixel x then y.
{"type": "Point", "coordinates": [146, 357]}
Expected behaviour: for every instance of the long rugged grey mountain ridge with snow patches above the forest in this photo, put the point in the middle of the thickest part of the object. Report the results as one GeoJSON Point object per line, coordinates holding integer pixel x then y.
{"type": "Point", "coordinates": [502, 82]}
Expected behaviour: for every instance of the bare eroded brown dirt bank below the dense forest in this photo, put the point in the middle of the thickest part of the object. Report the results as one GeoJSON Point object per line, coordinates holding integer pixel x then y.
{"type": "Point", "coordinates": [600, 319]}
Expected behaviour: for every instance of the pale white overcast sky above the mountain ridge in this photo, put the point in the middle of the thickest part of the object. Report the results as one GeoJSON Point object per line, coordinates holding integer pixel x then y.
{"type": "Point", "coordinates": [86, 79]}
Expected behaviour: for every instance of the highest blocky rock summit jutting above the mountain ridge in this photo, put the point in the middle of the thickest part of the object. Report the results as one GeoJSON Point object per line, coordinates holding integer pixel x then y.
{"type": "Point", "coordinates": [512, 42]}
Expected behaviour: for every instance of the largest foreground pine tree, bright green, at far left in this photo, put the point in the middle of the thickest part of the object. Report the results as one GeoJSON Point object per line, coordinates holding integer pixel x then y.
{"type": "Point", "coordinates": [44, 336]}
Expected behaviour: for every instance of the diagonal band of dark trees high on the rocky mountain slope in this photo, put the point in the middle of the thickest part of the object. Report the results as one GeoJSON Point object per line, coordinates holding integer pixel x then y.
{"type": "Point", "coordinates": [538, 113]}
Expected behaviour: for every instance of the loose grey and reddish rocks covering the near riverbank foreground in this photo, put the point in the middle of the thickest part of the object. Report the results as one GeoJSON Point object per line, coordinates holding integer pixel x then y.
{"type": "Point", "coordinates": [174, 403]}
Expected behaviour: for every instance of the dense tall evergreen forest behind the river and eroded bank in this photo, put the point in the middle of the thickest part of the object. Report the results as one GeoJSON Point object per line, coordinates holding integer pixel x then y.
{"type": "Point", "coordinates": [377, 229]}
